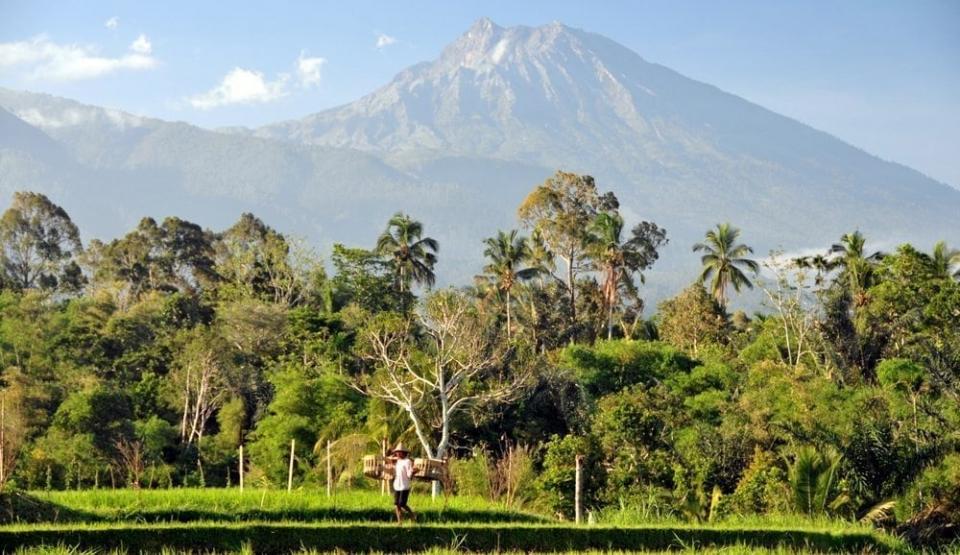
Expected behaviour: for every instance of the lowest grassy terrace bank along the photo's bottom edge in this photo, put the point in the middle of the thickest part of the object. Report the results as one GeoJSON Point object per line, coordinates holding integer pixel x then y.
{"type": "Point", "coordinates": [274, 537]}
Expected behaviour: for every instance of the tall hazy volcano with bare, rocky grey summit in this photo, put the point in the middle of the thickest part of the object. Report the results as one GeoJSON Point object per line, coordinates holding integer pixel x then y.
{"type": "Point", "coordinates": [674, 149]}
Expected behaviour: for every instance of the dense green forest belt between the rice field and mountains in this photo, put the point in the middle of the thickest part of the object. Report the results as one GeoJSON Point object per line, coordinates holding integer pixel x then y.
{"type": "Point", "coordinates": [148, 360]}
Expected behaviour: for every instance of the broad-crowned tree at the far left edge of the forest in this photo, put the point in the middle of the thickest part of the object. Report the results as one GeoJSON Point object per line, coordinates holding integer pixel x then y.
{"type": "Point", "coordinates": [37, 243]}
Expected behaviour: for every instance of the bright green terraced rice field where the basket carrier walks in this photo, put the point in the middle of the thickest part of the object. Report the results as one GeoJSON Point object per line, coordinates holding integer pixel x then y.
{"type": "Point", "coordinates": [271, 521]}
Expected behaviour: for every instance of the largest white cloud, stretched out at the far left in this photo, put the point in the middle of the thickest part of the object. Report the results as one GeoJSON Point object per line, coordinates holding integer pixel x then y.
{"type": "Point", "coordinates": [47, 60]}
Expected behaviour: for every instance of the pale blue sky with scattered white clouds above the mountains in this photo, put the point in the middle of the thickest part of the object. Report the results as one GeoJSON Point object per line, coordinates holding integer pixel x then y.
{"type": "Point", "coordinates": [882, 75]}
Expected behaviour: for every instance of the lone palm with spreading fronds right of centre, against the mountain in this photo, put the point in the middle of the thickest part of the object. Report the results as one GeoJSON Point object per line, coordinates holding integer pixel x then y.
{"type": "Point", "coordinates": [723, 260]}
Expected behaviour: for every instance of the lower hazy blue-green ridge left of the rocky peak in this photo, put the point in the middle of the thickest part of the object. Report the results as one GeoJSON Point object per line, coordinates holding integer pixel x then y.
{"type": "Point", "coordinates": [99, 162]}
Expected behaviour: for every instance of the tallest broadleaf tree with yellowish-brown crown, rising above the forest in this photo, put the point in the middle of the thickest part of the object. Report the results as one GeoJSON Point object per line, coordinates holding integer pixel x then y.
{"type": "Point", "coordinates": [560, 210]}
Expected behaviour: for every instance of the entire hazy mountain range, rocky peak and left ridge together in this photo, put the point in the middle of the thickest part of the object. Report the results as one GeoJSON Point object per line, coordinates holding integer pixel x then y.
{"type": "Point", "coordinates": [460, 140]}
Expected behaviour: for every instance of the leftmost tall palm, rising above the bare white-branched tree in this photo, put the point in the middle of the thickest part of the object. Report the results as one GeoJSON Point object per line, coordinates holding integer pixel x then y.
{"type": "Point", "coordinates": [412, 254]}
